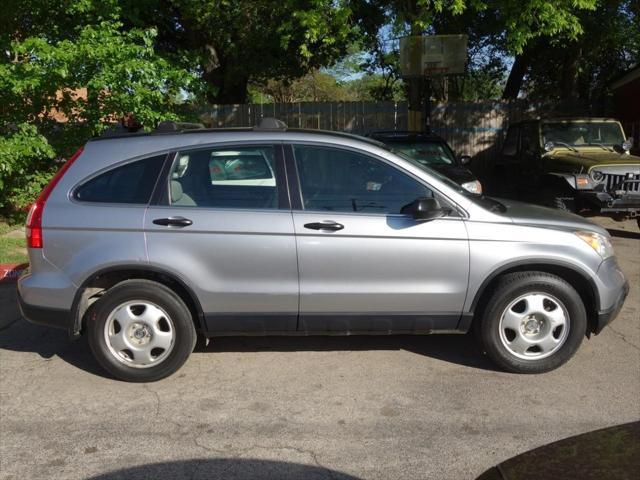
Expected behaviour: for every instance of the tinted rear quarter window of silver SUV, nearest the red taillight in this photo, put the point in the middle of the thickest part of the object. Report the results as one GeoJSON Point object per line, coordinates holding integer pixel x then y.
{"type": "Point", "coordinates": [131, 183]}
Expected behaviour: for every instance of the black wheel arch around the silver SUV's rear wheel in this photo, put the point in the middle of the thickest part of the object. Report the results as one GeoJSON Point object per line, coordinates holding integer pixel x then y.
{"type": "Point", "coordinates": [105, 278]}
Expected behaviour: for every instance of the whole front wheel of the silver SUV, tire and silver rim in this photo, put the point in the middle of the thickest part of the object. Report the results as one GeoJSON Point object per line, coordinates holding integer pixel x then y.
{"type": "Point", "coordinates": [534, 322]}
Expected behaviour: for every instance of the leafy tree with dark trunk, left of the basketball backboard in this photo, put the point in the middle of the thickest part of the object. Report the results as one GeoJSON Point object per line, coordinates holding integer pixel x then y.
{"type": "Point", "coordinates": [235, 43]}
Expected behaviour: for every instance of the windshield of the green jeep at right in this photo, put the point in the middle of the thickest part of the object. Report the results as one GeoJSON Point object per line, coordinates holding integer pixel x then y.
{"type": "Point", "coordinates": [581, 134]}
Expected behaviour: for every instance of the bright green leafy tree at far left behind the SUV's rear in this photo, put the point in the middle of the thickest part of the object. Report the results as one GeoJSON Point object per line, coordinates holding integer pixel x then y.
{"type": "Point", "coordinates": [64, 79]}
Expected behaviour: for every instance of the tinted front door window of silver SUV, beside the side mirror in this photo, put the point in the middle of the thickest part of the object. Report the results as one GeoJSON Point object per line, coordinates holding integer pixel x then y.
{"type": "Point", "coordinates": [343, 181]}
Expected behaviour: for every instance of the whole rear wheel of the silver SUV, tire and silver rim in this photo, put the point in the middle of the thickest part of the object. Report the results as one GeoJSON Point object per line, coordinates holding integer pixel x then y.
{"type": "Point", "coordinates": [140, 331]}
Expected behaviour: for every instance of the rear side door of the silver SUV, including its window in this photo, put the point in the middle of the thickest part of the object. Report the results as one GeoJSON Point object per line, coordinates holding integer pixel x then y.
{"type": "Point", "coordinates": [224, 225]}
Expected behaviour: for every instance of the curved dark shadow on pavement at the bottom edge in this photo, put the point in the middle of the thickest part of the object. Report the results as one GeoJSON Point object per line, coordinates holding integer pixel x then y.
{"type": "Point", "coordinates": [224, 468]}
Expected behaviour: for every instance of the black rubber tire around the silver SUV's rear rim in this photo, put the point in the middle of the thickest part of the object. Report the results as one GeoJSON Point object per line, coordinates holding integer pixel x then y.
{"type": "Point", "coordinates": [181, 329]}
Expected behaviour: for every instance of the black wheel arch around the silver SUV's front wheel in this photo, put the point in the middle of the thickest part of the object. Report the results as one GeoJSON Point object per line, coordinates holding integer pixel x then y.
{"type": "Point", "coordinates": [578, 279]}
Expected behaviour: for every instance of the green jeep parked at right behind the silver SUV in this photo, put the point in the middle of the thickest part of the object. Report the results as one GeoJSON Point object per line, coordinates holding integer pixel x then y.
{"type": "Point", "coordinates": [577, 164]}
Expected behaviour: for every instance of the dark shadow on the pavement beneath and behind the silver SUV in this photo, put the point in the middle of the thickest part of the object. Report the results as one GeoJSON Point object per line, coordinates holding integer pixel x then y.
{"type": "Point", "coordinates": [22, 336]}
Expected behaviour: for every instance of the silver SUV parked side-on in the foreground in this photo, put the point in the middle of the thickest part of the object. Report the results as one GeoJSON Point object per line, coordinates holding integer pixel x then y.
{"type": "Point", "coordinates": [141, 242]}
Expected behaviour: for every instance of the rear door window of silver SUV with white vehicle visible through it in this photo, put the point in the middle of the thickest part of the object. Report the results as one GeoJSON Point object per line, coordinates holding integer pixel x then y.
{"type": "Point", "coordinates": [225, 178]}
